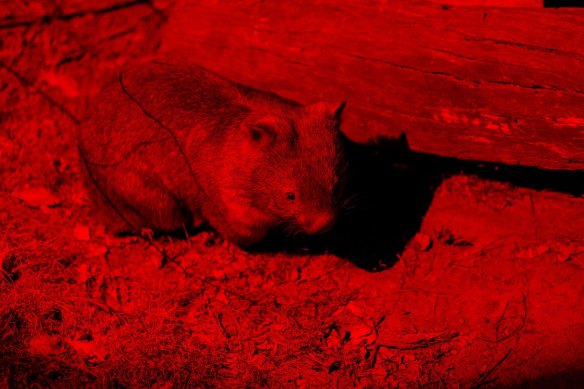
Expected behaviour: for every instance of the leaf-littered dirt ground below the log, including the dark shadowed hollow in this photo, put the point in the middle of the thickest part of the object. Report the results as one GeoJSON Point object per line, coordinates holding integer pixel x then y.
{"type": "Point", "coordinates": [441, 274]}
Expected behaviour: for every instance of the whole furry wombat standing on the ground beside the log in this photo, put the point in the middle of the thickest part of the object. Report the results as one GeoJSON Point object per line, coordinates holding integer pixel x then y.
{"type": "Point", "coordinates": [171, 146]}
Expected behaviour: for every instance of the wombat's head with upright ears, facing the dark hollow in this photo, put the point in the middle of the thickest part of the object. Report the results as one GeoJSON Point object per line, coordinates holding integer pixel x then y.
{"type": "Point", "coordinates": [298, 176]}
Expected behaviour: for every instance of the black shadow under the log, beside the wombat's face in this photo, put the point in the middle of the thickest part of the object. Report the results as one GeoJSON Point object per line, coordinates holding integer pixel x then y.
{"type": "Point", "coordinates": [390, 188]}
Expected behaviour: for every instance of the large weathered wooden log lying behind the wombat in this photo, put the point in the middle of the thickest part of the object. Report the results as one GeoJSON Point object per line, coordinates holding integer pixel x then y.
{"type": "Point", "coordinates": [476, 82]}
